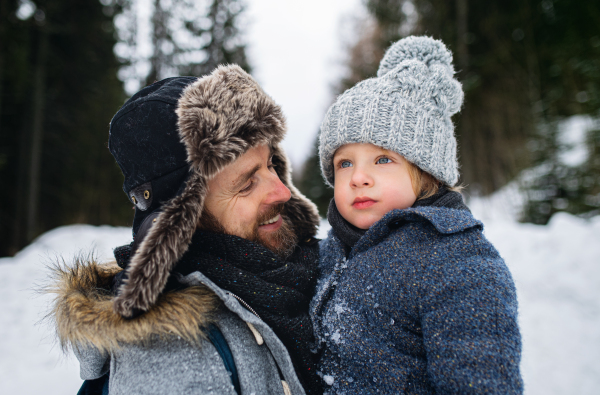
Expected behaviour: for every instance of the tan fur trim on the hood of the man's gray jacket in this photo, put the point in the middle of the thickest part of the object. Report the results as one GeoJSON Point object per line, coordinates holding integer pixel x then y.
{"type": "Point", "coordinates": [84, 316]}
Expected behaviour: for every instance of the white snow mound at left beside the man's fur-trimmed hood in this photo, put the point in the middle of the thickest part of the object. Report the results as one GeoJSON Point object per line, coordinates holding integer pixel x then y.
{"type": "Point", "coordinates": [30, 360]}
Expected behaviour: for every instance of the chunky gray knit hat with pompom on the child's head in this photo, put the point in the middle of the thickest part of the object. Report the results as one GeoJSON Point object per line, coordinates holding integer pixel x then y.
{"type": "Point", "coordinates": [406, 109]}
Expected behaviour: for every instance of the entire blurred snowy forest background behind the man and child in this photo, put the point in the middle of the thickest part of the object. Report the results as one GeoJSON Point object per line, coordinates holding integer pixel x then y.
{"type": "Point", "coordinates": [528, 137]}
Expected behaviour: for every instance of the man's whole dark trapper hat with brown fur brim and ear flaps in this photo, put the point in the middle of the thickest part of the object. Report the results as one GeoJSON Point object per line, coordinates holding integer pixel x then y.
{"type": "Point", "coordinates": [219, 117]}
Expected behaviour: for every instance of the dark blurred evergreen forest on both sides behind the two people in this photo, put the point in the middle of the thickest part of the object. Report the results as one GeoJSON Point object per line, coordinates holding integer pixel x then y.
{"type": "Point", "coordinates": [66, 66]}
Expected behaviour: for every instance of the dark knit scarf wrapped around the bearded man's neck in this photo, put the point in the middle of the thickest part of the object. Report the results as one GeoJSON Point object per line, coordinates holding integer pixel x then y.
{"type": "Point", "coordinates": [278, 290]}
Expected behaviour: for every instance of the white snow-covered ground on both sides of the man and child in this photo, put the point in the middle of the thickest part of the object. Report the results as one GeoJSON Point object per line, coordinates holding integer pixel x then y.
{"type": "Point", "coordinates": [556, 269]}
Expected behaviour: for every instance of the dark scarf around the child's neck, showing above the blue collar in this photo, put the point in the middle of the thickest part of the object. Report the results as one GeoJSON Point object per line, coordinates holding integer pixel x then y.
{"type": "Point", "coordinates": [350, 234]}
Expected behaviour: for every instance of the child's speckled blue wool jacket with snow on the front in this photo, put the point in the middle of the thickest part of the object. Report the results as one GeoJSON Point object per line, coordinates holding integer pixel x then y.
{"type": "Point", "coordinates": [424, 304]}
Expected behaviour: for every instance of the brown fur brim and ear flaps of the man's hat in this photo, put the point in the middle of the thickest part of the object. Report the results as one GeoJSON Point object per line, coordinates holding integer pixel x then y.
{"type": "Point", "coordinates": [220, 117]}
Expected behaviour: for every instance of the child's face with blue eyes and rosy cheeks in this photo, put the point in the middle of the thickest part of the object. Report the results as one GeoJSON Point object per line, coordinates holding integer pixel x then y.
{"type": "Point", "coordinates": [369, 182]}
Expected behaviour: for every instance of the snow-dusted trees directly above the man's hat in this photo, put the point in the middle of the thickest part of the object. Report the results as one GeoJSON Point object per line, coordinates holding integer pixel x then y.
{"type": "Point", "coordinates": [187, 37]}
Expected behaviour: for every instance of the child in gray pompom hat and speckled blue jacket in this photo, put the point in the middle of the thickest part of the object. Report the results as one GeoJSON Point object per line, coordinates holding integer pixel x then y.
{"type": "Point", "coordinates": [412, 298]}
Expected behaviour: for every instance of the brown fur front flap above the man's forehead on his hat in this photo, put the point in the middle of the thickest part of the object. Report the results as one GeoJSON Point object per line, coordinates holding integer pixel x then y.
{"type": "Point", "coordinates": [224, 114]}
